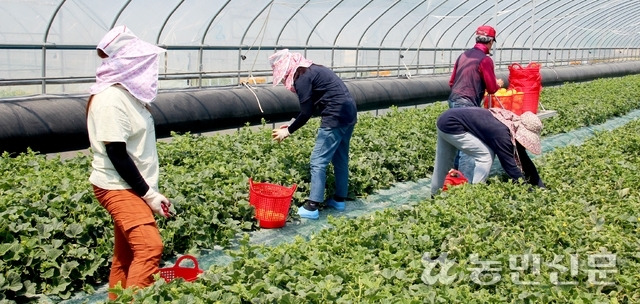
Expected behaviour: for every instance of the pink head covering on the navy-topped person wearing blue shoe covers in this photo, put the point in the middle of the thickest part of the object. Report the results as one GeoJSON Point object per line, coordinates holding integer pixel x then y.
{"type": "Point", "coordinates": [284, 65]}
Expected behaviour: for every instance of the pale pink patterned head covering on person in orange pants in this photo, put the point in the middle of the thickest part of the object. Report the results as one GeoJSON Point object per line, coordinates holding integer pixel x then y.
{"type": "Point", "coordinates": [133, 63]}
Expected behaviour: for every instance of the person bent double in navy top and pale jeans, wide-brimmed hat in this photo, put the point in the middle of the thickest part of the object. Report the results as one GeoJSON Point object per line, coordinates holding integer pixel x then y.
{"type": "Point", "coordinates": [481, 134]}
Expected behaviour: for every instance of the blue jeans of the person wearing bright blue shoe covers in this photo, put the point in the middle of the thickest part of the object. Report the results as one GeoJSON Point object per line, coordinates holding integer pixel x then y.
{"type": "Point", "coordinates": [332, 145]}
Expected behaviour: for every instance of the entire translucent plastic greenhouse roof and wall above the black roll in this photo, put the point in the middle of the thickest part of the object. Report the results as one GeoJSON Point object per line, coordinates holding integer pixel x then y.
{"type": "Point", "coordinates": [50, 44]}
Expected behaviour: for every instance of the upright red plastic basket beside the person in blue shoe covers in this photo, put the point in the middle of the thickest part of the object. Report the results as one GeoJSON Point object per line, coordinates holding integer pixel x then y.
{"type": "Point", "coordinates": [271, 202]}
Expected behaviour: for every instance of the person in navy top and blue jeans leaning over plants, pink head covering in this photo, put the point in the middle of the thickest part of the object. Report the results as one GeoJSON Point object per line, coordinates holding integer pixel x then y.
{"type": "Point", "coordinates": [320, 91]}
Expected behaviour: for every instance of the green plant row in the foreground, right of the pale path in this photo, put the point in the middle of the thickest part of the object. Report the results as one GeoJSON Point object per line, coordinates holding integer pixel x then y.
{"type": "Point", "coordinates": [582, 231]}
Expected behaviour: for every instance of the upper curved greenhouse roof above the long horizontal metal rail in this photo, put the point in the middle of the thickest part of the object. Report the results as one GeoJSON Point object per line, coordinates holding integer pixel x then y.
{"type": "Point", "coordinates": [325, 23]}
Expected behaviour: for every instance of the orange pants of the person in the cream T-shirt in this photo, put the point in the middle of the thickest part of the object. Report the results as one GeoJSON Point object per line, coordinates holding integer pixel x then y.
{"type": "Point", "coordinates": [138, 246]}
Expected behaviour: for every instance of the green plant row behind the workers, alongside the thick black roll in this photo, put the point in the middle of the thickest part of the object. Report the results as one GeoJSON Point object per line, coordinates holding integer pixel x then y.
{"type": "Point", "coordinates": [57, 240]}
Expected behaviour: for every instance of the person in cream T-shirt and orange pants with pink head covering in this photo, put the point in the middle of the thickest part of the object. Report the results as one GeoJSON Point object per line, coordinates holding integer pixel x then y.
{"type": "Point", "coordinates": [125, 160]}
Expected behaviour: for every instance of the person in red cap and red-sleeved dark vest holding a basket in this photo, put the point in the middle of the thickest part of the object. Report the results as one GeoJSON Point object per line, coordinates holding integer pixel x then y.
{"type": "Point", "coordinates": [473, 74]}
